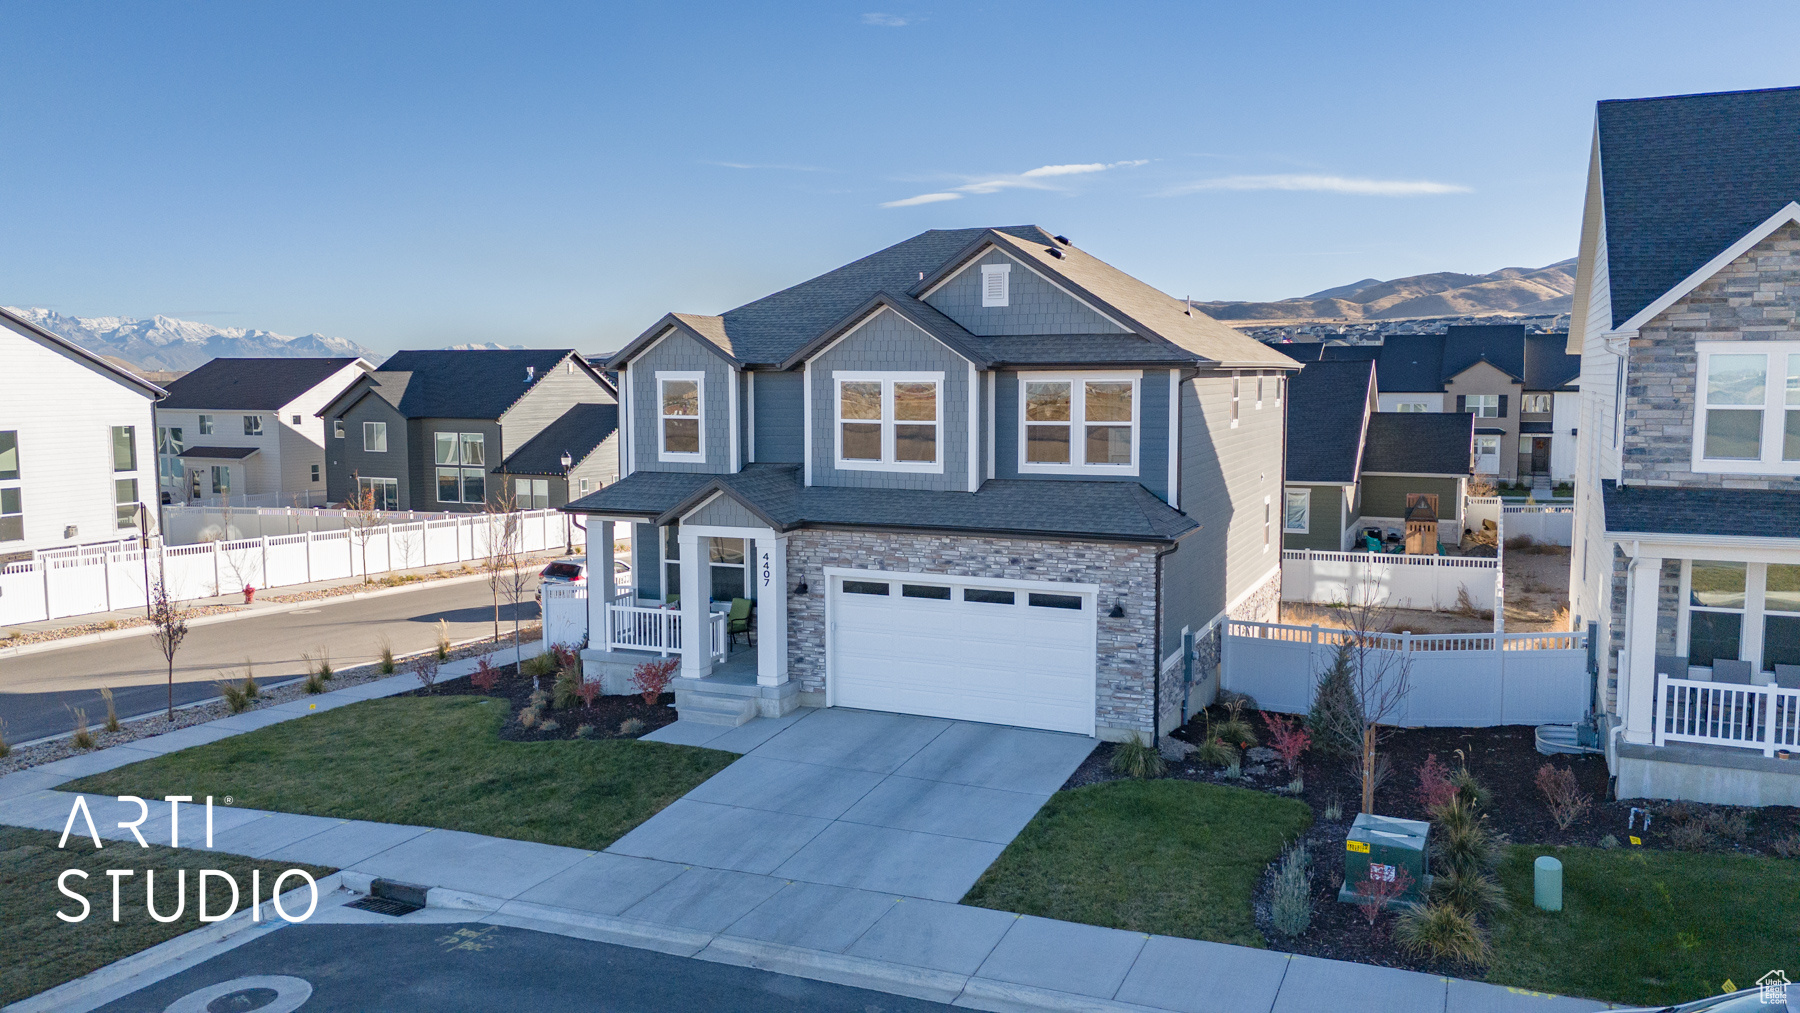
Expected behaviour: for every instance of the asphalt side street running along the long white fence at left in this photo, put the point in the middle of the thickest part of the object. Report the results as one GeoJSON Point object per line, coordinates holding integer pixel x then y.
{"type": "Point", "coordinates": [39, 692]}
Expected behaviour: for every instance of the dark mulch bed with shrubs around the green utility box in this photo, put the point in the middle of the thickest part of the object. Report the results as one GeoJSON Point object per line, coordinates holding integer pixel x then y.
{"type": "Point", "coordinates": [1502, 758]}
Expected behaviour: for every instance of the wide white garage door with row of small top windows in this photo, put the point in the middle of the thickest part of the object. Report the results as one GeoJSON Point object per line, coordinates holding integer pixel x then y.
{"type": "Point", "coordinates": [964, 649]}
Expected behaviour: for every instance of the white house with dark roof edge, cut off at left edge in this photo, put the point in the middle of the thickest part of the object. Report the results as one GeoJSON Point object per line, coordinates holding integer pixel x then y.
{"type": "Point", "coordinates": [78, 456]}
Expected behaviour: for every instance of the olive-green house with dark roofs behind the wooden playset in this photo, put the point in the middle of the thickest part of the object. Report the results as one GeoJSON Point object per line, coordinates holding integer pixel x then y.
{"type": "Point", "coordinates": [1353, 469]}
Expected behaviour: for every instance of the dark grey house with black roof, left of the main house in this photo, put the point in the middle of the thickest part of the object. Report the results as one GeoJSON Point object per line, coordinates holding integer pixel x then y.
{"type": "Point", "coordinates": [438, 431]}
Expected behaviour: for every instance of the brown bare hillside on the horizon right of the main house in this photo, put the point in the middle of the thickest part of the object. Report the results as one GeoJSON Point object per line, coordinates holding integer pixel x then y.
{"type": "Point", "coordinates": [1524, 292]}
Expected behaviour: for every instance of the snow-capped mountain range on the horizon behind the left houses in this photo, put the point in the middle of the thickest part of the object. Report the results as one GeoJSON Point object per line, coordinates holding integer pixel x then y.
{"type": "Point", "coordinates": [165, 343]}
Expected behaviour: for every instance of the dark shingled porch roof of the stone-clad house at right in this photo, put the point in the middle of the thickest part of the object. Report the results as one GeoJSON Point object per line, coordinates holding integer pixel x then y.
{"type": "Point", "coordinates": [1686, 510]}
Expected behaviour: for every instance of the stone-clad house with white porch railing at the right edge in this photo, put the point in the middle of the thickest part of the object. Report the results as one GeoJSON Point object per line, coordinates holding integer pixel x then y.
{"type": "Point", "coordinates": [1687, 523]}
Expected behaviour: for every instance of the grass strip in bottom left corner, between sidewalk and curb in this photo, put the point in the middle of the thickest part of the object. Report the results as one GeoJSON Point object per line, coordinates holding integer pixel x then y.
{"type": "Point", "coordinates": [44, 951]}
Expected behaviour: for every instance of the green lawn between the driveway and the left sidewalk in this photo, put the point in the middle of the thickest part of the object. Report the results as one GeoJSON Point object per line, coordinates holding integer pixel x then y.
{"type": "Point", "coordinates": [429, 762]}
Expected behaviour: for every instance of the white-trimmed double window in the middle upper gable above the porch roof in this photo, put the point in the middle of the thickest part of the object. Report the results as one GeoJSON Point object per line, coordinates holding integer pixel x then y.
{"type": "Point", "coordinates": [890, 422]}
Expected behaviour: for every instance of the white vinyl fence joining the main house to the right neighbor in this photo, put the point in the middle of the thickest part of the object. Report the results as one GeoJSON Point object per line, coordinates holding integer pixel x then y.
{"type": "Point", "coordinates": [1457, 681]}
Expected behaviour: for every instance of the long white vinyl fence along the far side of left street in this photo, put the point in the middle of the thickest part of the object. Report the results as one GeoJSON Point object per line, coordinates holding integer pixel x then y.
{"type": "Point", "coordinates": [76, 582]}
